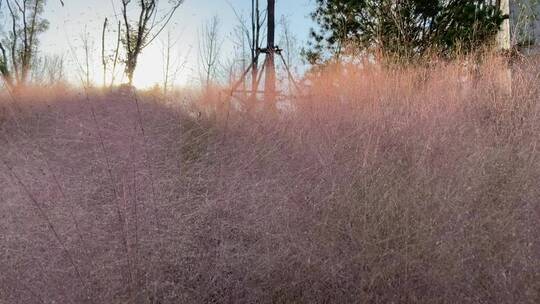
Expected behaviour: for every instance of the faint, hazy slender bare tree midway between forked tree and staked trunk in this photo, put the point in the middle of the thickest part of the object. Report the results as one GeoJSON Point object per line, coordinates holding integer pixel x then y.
{"type": "Point", "coordinates": [209, 50]}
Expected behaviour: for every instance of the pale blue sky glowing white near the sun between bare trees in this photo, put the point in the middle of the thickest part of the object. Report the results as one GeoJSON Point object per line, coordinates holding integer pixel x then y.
{"type": "Point", "coordinates": [68, 24]}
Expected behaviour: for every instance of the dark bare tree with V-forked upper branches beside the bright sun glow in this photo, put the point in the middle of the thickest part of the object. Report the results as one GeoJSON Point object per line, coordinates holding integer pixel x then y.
{"type": "Point", "coordinates": [142, 32]}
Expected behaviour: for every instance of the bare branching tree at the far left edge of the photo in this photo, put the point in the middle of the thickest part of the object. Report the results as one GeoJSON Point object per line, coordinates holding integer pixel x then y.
{"type": "Point", "coordinates": [20, 45]}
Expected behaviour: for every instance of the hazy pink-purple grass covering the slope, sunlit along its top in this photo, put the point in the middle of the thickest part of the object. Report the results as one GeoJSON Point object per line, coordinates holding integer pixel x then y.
{"type": "Point", "coordinates": [412, 187]}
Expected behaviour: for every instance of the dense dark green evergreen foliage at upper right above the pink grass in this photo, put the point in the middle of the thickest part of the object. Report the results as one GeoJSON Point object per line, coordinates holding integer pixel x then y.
{"type": "Point", "coordinates": [402, 29]}
